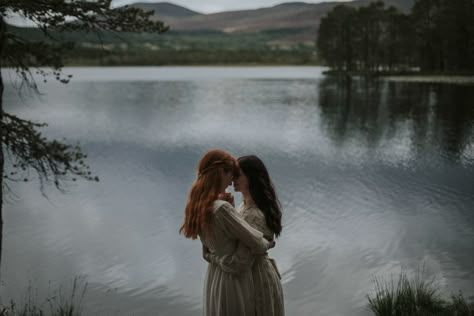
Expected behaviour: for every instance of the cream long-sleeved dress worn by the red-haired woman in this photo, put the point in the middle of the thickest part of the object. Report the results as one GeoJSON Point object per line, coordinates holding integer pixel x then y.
{"type": "Point", "coordinates": [227, 293]}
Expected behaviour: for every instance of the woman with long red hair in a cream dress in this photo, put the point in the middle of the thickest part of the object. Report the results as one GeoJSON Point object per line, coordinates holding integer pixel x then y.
{"type": "Point", "coordinates": [221, 230]}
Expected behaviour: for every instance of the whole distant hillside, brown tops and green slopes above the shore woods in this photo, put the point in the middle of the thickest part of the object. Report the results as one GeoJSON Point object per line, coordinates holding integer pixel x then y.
{"type": "Point", "coordinates": [287, 27]}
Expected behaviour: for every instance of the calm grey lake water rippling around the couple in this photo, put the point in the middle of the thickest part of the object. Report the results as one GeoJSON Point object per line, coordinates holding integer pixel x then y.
{"type": "Point", "coordinates": [374, 178]}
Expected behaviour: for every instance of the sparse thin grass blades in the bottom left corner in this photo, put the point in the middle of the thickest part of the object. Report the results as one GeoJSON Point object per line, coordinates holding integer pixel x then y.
{"type": "Point", "coordinates": [58, 304]}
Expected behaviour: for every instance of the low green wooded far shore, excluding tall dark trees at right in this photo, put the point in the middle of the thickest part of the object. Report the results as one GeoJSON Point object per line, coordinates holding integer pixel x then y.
{"type": "Point", "coordinates": [178, 48]}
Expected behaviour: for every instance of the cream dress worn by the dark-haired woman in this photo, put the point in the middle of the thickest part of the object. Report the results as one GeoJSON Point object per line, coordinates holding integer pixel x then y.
{"type": "Point", "coordinates": [268, 292]}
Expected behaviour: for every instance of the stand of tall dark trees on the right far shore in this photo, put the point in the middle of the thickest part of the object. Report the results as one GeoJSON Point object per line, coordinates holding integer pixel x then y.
{"type": "Point", "coordinates": [437, 36]}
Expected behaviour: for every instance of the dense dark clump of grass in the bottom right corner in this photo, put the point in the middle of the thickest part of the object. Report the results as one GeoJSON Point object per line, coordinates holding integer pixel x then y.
{"type": "Point", "coordinates": [414, 297]}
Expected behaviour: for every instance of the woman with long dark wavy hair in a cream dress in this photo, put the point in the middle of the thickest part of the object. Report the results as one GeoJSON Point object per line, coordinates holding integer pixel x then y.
{"type": "Point", "coordinates": [261, 209]}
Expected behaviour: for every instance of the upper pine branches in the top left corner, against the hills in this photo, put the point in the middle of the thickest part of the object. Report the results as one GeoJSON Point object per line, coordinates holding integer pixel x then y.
{"type": "Point", "coordinates": [54, 17]}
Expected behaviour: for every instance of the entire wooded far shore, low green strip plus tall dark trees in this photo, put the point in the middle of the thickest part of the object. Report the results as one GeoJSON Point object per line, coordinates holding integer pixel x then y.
{"type": "Point", "coordinates": [434, 38]}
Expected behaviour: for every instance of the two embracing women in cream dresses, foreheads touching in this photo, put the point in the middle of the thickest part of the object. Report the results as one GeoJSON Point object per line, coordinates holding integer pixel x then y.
{"type": "Point", "coordinates": [241, 280]}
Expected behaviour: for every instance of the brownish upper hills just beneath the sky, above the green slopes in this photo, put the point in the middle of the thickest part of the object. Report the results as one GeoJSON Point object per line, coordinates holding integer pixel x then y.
{"type": "Point", "coordinates": [302, 17]}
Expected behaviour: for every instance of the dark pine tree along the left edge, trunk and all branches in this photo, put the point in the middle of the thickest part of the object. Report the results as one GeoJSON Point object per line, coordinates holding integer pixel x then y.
{"type": "Point", "coordinates": [21, 141]}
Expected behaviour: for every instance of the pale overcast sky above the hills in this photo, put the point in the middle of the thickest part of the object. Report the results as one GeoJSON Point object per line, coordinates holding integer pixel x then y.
{"type": "Point", "coordinates": [212, 6]}
